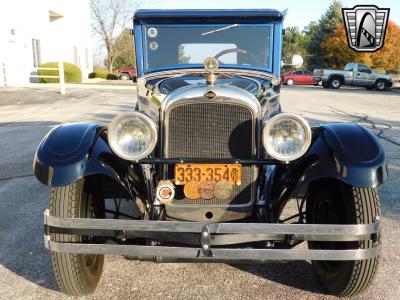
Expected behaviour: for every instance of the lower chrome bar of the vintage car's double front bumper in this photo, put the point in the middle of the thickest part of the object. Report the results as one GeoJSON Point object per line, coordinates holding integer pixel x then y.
{"type": "Point", "coordinates": [216, 254]}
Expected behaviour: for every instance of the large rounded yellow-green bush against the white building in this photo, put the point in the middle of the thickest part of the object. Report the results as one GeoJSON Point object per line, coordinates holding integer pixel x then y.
{"type": "Point", "coordinates": [72, 73]}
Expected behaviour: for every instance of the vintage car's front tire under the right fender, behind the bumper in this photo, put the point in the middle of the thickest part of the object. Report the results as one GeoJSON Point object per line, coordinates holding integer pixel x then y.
{"type": "Point", "coordinates": [332, 202]}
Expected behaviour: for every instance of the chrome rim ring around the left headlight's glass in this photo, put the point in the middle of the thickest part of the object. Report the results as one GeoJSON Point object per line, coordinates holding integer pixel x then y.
{"type": "Point", "coordinates": [132, 115]}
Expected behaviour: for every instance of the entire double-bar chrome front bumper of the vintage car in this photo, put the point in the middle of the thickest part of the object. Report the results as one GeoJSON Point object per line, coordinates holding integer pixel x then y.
{"type": "Point", "coordinates": [206, 239]}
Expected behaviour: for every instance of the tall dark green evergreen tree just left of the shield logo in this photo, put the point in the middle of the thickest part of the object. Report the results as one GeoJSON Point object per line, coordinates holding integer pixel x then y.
{"type": "Point", "coordinates": [317, 33]}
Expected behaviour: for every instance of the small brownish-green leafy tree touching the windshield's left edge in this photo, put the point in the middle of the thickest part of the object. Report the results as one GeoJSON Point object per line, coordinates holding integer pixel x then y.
{"type": "Point", "coordinates": [125, 49]}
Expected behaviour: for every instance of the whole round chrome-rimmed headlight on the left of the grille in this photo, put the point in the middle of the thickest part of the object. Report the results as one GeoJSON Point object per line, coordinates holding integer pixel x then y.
{"type": "Point", "coordinates": [132, 136]}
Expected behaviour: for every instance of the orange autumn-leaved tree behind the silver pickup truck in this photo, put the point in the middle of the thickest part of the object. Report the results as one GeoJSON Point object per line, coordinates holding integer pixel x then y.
{"type": "Point", "coordinates": [338, 53]}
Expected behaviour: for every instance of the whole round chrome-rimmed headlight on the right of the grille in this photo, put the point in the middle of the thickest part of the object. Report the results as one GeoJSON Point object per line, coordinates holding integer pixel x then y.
{"type": "Point", "coordinates": [286, 136]}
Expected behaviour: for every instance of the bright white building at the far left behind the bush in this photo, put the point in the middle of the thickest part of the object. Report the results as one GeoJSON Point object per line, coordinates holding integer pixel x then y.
{"type": "Point", "coordinates": [35, 32]}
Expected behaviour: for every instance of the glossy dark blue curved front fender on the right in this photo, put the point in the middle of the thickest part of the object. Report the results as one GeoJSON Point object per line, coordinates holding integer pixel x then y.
{"type": "Point", "coordinates": [344, 151]}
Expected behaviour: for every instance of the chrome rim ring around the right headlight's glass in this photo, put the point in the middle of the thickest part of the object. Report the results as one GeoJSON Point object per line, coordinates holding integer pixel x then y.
{"type": "Point", "coordinates": [288, 116]}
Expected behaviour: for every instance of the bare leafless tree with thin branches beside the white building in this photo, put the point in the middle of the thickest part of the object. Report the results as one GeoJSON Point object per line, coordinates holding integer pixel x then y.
{"type": "Point", "coordinates": [109, 17]}
